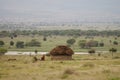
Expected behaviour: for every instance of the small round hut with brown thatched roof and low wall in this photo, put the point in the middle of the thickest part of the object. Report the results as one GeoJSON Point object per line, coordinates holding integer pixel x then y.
{"type": "Point", "coordinates": [61, 53]}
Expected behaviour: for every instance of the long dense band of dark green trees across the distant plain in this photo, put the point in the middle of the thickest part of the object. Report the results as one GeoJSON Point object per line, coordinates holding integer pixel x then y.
{"type": "Point", "coordinates": [61, 33]}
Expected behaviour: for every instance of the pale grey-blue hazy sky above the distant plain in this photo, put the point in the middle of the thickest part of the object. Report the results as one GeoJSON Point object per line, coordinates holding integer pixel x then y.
{"type": "Point", "coordinates": [60, 9]}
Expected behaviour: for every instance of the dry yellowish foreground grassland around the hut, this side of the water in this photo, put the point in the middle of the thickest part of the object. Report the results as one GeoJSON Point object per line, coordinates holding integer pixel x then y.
{"type": "Point", "coordinates": [82, 67]}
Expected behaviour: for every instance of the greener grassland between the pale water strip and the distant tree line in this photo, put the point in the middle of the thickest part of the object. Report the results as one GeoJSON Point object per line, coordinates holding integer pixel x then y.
{"type": "Point", "coordinates": [53, 41]}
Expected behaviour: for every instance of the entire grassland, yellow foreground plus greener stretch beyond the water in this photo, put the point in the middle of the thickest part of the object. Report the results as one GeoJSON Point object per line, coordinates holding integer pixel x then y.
{"type": "Point", "coordinates": [82, 67]}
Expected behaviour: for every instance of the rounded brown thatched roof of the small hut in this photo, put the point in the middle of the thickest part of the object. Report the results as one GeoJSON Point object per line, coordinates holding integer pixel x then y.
{"type": "Point", "coordinates": [61, 50]}
